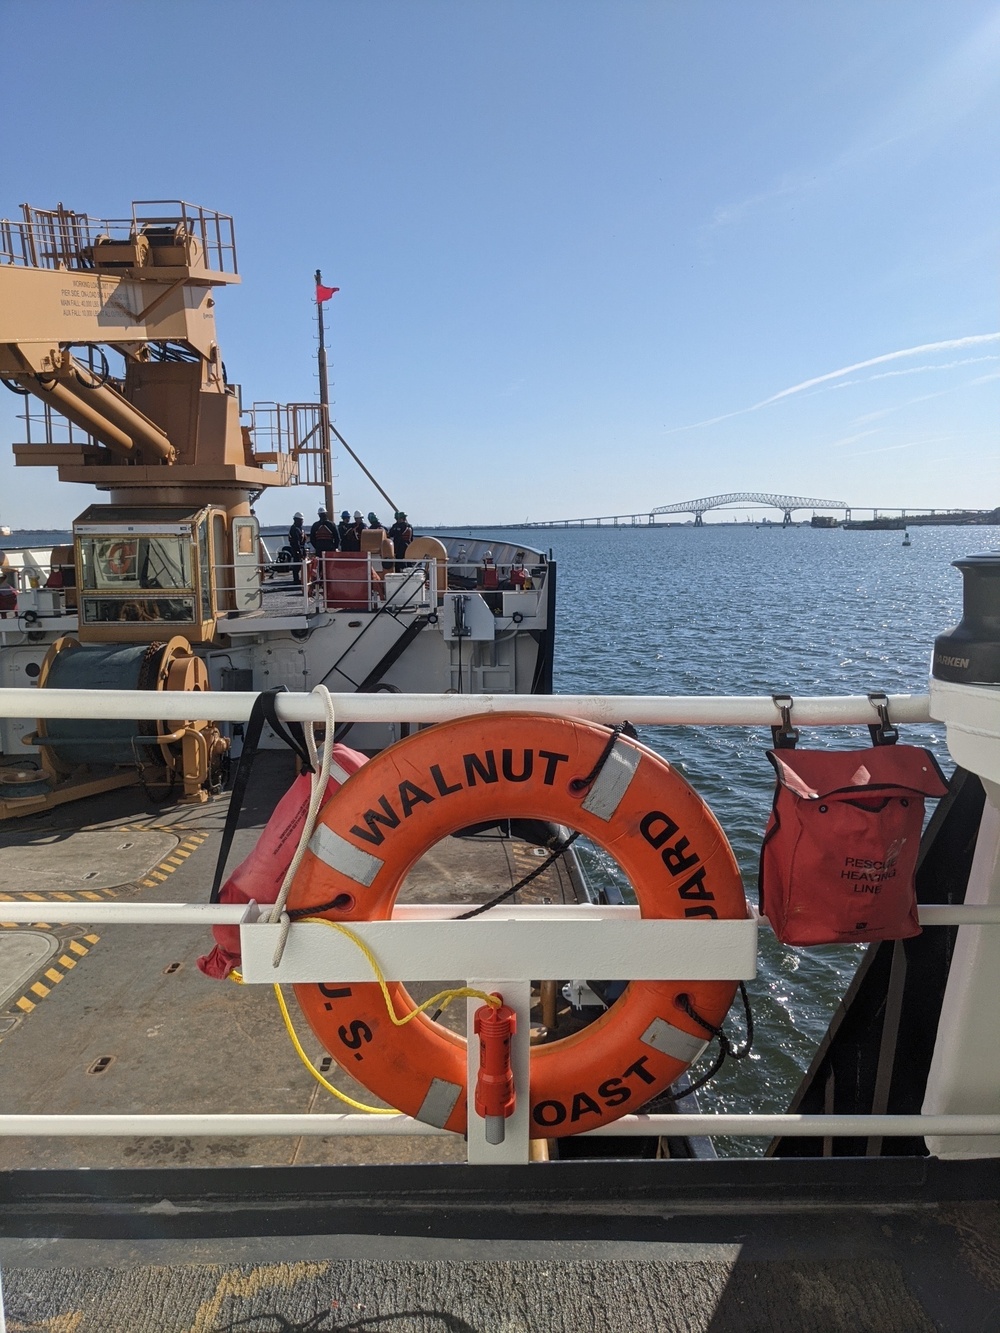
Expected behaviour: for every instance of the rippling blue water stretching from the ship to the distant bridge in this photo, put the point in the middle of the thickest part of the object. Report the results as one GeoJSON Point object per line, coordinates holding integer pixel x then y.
{"type": "Point", "coordinates": [739, 610]}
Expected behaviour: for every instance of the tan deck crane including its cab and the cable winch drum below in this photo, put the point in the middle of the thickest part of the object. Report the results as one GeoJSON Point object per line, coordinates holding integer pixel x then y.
{"type": "Point", "coordinates": [177, 550]}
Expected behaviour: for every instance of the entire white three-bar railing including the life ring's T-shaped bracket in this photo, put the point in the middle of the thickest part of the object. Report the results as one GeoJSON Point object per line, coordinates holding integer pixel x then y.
{"type": "Point", "coordinates": [581, 940]}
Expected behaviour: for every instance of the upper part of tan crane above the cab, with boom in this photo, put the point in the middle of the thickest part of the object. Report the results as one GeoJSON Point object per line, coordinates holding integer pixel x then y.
{"type": "Point", "coordinates": [142, 287]}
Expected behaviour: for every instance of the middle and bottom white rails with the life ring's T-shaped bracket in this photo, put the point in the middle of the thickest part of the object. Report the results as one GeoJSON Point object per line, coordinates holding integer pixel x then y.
{"type": "Point", "coordinates": [577, 939]}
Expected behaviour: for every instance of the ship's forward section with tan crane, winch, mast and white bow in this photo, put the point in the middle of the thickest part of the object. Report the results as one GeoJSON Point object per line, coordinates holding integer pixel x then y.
{"type": "Point", "coordinates": [107, 330]}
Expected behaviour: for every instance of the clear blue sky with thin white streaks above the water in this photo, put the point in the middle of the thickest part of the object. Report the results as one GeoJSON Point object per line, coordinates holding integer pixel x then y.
{"type": "Point", "coordinates": [585, 249]}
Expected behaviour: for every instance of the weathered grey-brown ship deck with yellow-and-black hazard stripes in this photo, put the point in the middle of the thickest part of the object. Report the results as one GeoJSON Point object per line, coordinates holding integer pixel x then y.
{"type": "Point", "coordinates": [391, 1235]}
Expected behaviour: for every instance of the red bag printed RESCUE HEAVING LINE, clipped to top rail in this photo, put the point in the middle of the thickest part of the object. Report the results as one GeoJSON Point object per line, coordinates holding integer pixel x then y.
{"type": "Point", "coordinates": [842, 843]}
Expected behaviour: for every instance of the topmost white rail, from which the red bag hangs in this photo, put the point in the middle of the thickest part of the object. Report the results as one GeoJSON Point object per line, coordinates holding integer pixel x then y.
{"type": "Point", "coordinates": [641, 710]}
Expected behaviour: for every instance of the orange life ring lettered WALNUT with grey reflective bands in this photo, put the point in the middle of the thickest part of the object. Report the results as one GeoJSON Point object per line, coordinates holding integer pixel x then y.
{"type": "Point", "coordinates": [519, 766]}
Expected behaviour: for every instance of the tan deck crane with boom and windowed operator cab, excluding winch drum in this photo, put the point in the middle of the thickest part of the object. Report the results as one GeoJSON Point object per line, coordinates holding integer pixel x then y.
{"type": "Point", "coordinates": [166, 435]}
